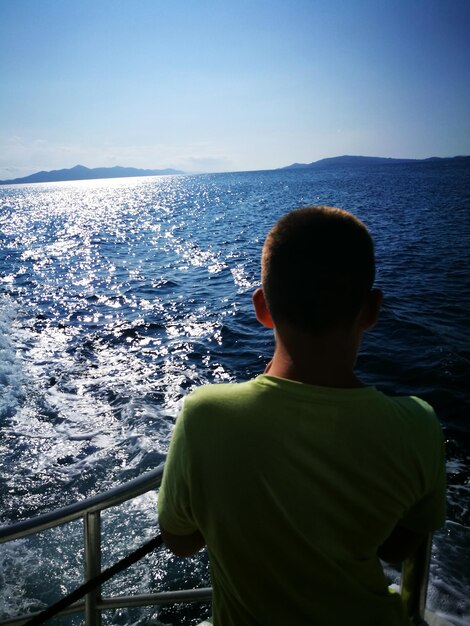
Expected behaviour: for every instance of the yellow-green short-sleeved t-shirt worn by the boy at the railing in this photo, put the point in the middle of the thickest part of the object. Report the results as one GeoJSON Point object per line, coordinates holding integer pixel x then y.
{"type": "Point", "coordinates": [294, 487]}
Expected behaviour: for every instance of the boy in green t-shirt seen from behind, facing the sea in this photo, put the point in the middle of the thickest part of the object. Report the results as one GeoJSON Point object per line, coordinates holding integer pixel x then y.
{"type": "Point", "coordinates": [299, 480]}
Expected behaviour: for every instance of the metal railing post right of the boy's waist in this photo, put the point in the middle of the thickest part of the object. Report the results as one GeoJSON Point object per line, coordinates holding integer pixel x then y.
{"type": "Point", "coordinates": [414, 582]}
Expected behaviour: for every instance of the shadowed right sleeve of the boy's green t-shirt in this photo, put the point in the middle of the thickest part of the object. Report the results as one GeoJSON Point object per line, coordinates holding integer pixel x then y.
{"type": "Point", "coordinates": [429, 513]}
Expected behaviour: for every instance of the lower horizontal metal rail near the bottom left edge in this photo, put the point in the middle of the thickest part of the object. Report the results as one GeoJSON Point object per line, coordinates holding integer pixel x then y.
{"type": "Point", "coordinates": [201, 594]}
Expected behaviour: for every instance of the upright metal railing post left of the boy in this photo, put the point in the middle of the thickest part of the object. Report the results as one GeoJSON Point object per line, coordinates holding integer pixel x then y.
{"type": "Point", "coordinates": [92, 530]}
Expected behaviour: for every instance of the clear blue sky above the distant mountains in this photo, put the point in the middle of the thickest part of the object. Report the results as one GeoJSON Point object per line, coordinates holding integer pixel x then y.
{"type": "Point", "coordinates": [218, 85]}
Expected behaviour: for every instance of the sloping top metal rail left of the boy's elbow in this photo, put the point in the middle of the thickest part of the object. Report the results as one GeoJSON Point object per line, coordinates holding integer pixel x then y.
{"type": "Point", "coordinates": [112, 497]}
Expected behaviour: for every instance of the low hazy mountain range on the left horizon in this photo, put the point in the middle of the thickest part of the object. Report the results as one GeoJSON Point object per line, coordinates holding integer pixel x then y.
{"type": "Point", "coordinates": [80, 172]}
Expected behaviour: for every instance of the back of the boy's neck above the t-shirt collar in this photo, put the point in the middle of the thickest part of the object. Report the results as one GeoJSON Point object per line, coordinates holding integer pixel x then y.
{"type": "Point", "coordinates": [325, 361]}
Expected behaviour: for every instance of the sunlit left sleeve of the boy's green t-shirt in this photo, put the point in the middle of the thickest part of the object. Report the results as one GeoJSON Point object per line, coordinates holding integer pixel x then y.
{"type": "Point", "coordinates": [174, 508]}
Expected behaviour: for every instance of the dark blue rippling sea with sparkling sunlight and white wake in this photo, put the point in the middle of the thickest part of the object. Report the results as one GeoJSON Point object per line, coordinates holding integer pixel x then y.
{"type": "Point", "coordinates": [120, 296]}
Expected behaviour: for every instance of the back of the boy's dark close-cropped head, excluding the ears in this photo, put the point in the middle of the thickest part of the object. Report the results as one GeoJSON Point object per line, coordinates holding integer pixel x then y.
{"type": "Point", "coordinates": [317, 269]}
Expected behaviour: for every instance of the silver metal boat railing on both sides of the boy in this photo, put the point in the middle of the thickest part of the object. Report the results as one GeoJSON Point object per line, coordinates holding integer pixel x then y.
{"type": "Point", "coordinates": [414, 577]}
